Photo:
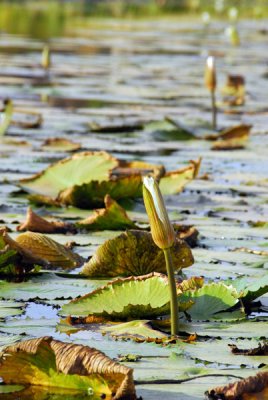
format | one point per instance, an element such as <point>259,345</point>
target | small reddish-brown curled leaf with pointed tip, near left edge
<point>34,223</point>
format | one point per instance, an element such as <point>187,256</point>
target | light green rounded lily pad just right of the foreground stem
<point>210,299</point>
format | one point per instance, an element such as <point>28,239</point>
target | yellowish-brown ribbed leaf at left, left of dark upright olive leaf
<point>47,249</point>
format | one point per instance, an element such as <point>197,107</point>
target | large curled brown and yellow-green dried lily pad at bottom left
<point>55,364</point>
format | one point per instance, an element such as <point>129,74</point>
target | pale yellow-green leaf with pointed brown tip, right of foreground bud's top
<point>174,181</point>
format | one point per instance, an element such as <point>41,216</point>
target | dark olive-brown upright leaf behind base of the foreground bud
<point>134,253</point>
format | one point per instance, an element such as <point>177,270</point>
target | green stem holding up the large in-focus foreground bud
<point>173,293</point>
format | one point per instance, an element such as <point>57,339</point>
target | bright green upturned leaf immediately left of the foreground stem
<point>134,297</point>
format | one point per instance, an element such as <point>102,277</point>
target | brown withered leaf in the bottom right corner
<point>236,390</point>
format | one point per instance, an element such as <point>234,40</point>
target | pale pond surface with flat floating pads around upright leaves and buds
<point>128,76</point>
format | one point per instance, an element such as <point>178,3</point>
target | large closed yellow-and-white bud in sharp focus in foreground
<point>162,231</point>
